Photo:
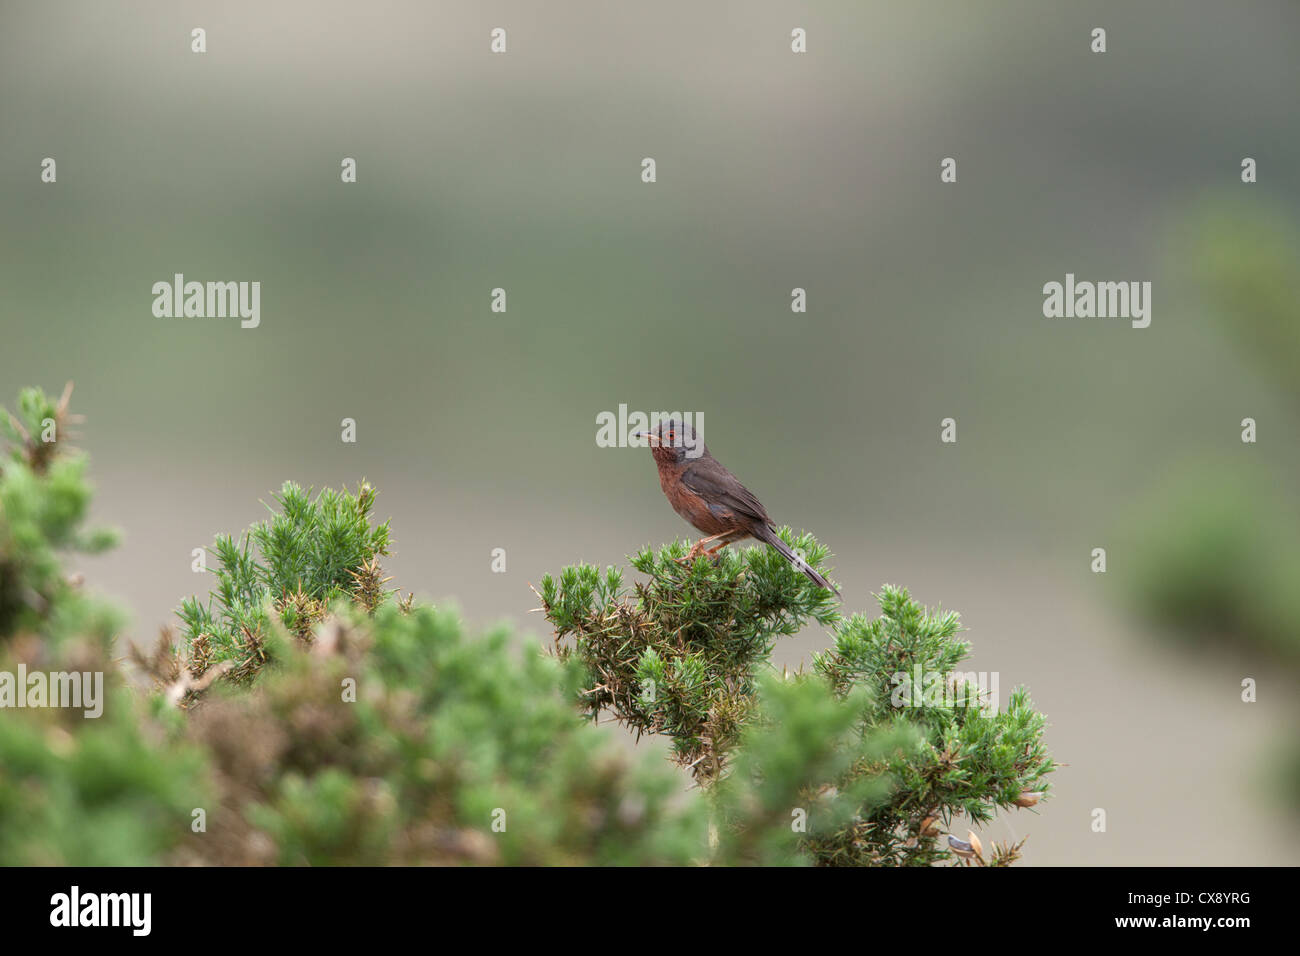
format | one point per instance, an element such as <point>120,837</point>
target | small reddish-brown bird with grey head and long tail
<point>712,499</point>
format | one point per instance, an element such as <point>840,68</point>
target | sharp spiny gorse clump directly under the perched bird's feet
<point>682,659</point>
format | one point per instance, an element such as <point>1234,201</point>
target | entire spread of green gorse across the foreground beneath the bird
<point>305,716</point>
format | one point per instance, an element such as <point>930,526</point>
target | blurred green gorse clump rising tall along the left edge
<point>115,790</point>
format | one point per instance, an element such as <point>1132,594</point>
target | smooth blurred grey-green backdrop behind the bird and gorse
<point>774,171</point>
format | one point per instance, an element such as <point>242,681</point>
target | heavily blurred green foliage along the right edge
<point>1216,552</point>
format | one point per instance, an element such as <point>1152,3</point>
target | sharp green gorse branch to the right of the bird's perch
<point>960,754</point>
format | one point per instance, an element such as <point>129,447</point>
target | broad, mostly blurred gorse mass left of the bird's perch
<point>375,733</point>
